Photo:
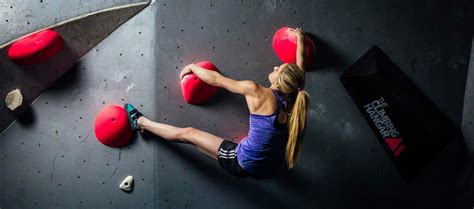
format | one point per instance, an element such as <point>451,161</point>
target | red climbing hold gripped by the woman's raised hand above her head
<point>284,44</point>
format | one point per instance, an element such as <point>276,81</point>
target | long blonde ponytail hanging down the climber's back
<point>296,125</point>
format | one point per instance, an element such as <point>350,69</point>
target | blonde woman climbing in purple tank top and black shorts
<point>277,120</point>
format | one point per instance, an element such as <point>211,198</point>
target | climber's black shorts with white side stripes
<point>227,158</point>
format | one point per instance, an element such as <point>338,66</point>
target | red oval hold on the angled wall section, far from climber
<point>36,47</point>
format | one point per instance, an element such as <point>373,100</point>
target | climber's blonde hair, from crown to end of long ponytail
<point>291,81</point>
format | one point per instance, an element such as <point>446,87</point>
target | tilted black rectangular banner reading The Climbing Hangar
<point>408,124</point>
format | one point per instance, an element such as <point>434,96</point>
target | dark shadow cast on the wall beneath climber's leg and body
<point>254,191</point>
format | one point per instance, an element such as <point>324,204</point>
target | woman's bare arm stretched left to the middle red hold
<point>245,87</point>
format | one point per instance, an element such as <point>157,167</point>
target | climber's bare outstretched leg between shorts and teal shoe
<point>205,142</point>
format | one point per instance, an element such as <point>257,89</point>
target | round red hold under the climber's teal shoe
<point>112,127</point>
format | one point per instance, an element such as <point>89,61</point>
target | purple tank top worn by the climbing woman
<point>262,152</point>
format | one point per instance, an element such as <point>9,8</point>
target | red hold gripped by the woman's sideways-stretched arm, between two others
<point>195,90</point>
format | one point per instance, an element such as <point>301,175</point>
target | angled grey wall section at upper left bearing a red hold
<point>79,34</point>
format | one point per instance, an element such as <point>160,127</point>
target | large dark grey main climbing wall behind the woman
<point>55,161</point>
